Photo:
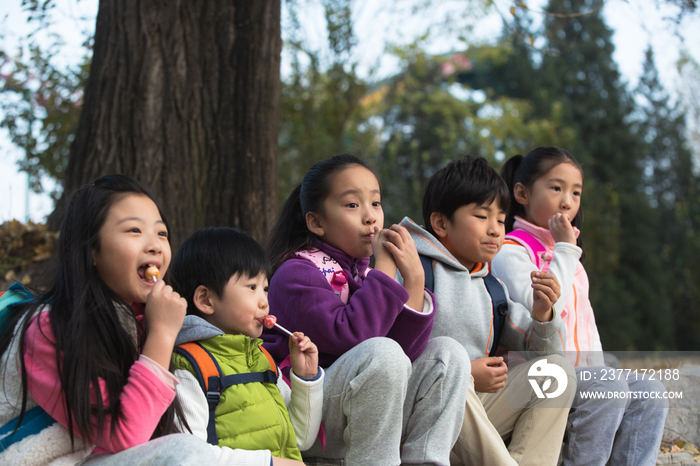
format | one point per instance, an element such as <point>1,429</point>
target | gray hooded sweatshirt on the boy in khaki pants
<point>464,309</point>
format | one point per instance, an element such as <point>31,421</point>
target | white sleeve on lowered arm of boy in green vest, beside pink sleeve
<point>196,411</point>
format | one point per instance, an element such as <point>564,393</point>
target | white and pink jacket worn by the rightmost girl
<point>522,254</point>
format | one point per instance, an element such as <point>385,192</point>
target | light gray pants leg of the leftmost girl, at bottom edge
<point>180,449</point>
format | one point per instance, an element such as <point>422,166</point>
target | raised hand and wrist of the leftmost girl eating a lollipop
<point>164,314</point>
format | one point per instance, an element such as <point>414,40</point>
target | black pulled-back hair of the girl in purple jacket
<point>290,233</point>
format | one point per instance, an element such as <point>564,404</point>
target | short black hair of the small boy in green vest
<point>211,257</point>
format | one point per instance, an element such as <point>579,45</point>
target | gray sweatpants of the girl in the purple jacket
<point>381,409</point>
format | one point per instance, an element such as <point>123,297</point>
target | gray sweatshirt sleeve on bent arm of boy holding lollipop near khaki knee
<point>523,333</point>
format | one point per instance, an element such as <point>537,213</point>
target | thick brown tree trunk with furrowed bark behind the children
<point>184,96</point>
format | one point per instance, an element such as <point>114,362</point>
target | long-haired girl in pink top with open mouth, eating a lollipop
<point>93,351</point>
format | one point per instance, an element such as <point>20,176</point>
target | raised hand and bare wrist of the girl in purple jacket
<point>403,249</point>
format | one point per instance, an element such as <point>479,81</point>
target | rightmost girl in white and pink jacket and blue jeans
<point>545,214</point>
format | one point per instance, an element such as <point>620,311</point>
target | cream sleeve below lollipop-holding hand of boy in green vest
<point>304,402</point>
